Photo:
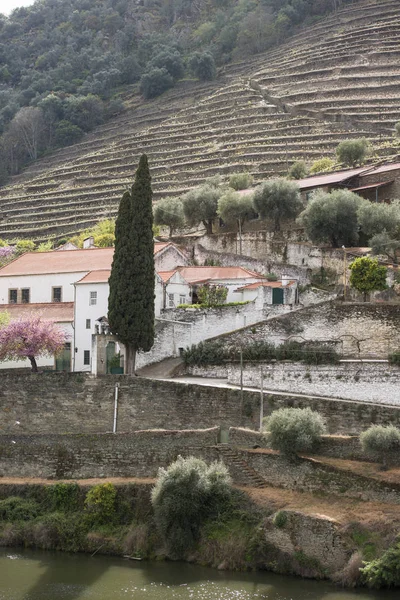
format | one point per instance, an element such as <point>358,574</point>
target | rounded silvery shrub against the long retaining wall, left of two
<point>294,430</point>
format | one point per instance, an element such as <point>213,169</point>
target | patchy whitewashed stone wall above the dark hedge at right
<point>363,329</point>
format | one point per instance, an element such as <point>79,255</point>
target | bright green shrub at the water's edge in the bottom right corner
<point>385,571</point>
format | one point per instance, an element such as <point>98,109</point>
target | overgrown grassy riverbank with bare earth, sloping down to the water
<point>270,529</point>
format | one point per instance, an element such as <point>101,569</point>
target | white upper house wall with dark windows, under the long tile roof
<point>40,286</point>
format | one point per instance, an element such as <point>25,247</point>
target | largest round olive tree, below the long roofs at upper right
<point>332,218</point>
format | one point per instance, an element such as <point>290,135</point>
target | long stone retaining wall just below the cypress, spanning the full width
<point>55,403</point>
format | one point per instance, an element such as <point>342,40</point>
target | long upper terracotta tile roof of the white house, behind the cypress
<point>67,261</point>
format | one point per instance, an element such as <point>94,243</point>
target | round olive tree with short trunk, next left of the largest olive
<point>278,199</point>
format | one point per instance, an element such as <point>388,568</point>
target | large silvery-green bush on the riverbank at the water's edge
<point>185,495</point>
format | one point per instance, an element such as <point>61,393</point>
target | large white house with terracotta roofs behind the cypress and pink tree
<point>75,280</point>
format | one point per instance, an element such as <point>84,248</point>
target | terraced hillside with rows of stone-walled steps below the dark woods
<point>337,79</point>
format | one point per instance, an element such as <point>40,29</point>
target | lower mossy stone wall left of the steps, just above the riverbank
<point>140,454</point>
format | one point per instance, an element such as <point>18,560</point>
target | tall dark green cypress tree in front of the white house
<point>131,299</point>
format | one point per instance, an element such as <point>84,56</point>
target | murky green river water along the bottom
<point>36,575</point>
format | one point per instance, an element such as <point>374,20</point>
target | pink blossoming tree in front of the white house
<point>30,337</point>
